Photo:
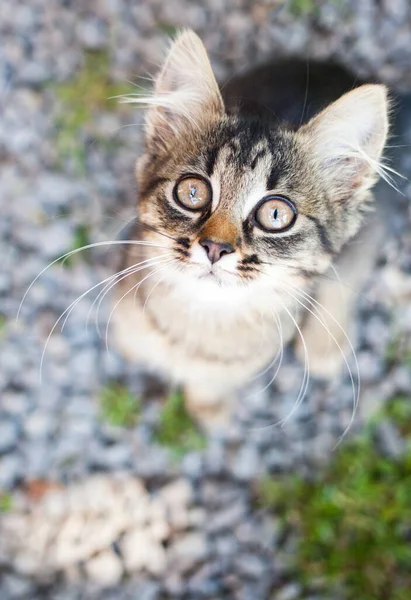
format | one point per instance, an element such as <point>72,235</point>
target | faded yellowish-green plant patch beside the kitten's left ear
<point>90,91</point>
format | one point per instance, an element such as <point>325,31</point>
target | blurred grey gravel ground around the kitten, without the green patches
<point>122,519</point>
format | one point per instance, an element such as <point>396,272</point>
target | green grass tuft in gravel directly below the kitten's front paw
<point>176,429</point>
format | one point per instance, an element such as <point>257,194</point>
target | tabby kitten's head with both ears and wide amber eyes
<point>239,201</point>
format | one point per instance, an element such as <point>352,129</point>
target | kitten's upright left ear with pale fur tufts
<point>186,93</point>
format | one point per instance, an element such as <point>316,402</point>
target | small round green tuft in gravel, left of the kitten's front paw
<point>118,406</point>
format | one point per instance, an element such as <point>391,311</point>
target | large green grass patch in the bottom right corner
<point>354,523</point>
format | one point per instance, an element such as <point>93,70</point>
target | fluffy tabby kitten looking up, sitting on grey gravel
<point>239,218</point>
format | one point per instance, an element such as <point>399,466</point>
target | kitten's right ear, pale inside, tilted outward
<point>347,139</point>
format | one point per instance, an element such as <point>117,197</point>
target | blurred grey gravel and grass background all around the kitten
<point>107,491</point>
